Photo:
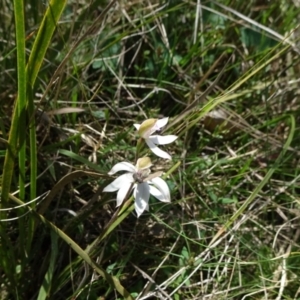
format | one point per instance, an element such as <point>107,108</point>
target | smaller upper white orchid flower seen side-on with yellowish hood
<point>147,128</point>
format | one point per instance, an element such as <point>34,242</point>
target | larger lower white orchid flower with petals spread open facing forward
<point>141,181</point>
